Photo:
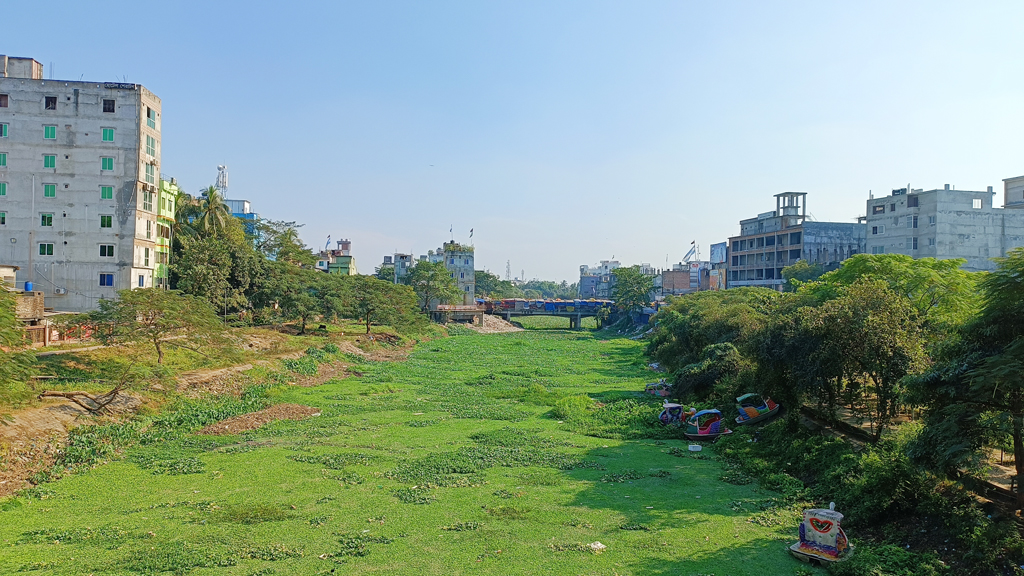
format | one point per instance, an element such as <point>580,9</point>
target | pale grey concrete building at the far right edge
<point>946,224</point>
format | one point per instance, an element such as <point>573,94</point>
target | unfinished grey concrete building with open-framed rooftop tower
<point>775,240</point>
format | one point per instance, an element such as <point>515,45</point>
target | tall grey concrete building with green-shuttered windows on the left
<point>79,164</point>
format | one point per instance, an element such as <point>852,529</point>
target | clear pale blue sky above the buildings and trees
<point>561,133</point>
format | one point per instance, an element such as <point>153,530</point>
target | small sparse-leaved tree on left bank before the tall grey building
<point>159,318</point>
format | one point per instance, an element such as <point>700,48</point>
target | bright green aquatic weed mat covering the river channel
<point>450,463</point>
